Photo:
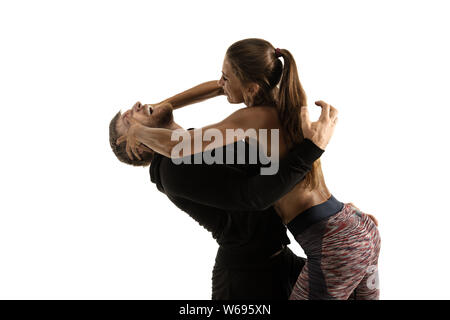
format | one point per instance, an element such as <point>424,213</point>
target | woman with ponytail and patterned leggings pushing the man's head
<point>341,243</point>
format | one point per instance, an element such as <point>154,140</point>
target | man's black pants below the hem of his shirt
<point>272,280</point>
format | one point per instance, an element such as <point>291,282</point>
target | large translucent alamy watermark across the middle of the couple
<point>181,152</point>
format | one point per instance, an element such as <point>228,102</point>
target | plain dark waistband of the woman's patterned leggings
<point>314,214</point>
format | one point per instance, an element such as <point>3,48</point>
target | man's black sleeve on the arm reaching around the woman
<point>223,187</point>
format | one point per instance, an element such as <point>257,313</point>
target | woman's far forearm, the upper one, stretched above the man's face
<point>196,94</point>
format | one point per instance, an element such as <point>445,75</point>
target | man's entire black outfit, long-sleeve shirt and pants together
<point>233,202</point>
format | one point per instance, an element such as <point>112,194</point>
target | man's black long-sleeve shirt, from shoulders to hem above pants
<point>233,201</point>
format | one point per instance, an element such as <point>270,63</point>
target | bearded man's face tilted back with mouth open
<point>147,115</point>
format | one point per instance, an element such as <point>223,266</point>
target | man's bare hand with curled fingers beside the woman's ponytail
<point>321,131</point>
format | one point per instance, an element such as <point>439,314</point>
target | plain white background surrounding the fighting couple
<point>77,224</point>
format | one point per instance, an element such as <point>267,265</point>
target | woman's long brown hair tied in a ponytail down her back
<point>256,61</point>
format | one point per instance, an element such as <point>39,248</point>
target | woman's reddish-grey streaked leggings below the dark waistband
<point>342,258</point>
